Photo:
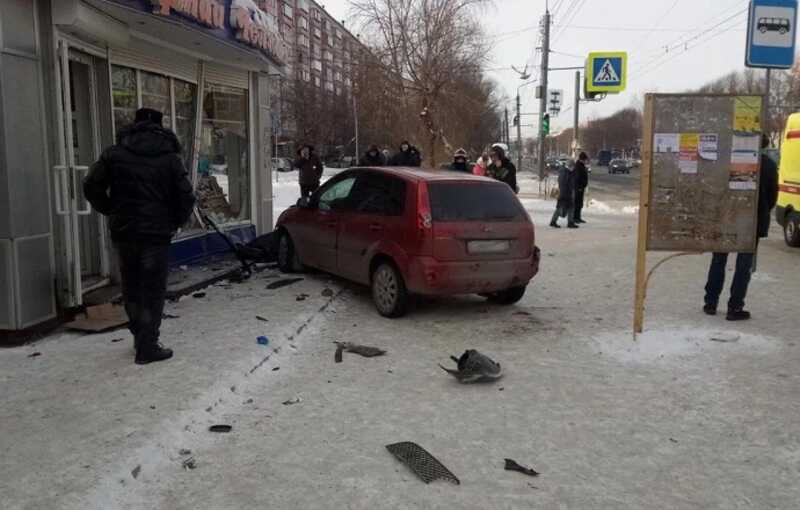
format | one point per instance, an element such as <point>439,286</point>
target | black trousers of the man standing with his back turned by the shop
<point>144,268</point>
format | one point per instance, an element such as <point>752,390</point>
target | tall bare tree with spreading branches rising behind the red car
<point>427,47</point>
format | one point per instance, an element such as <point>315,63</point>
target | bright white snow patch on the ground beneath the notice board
<point>679,344</point>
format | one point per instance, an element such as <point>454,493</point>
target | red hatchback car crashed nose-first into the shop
<point>409,231</point>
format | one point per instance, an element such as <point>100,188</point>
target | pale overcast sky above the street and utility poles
<point>706,39</point>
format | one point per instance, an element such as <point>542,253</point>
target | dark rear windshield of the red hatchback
<point>473,201</point>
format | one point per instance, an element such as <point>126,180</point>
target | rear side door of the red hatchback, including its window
<point>378,202</point>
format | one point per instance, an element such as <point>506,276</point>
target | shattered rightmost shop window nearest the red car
<point>223,187</point>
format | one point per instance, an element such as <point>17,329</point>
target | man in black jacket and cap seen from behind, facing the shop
<point>142,185</point>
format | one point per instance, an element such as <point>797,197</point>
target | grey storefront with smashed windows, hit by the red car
<point>73,72</point>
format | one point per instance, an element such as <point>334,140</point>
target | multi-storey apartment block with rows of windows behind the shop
<point>320,57</point>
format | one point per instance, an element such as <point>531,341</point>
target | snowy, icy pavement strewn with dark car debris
<point>698,413</point>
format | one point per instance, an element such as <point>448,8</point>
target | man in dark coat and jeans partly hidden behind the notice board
<point>767,197</point>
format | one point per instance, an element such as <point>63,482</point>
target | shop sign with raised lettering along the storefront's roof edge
<point>240,20</point>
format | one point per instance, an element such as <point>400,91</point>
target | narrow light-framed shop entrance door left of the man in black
<point>85,248</point>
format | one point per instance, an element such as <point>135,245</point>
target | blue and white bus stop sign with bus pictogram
<point>771,33</point>
